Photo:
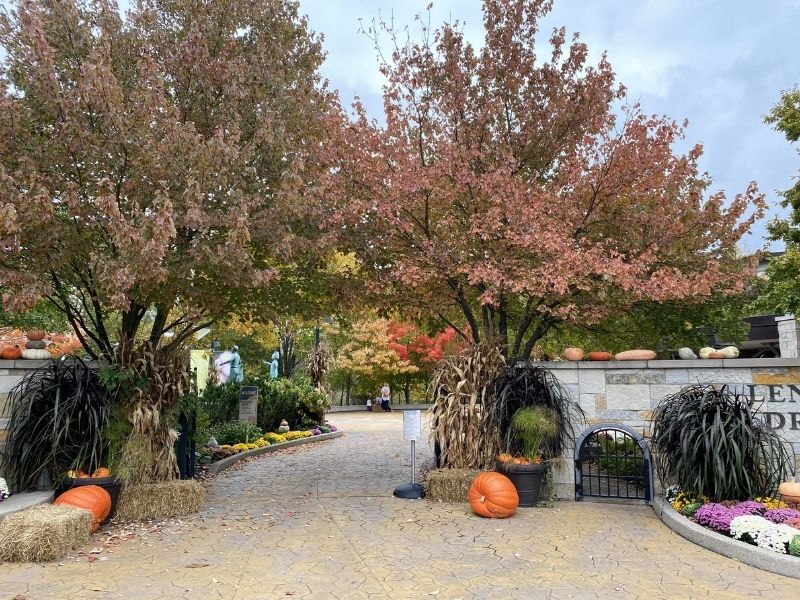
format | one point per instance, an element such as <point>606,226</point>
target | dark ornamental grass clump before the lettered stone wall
<point>711,441</point>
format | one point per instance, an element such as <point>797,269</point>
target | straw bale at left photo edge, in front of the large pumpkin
<point>42,533</point>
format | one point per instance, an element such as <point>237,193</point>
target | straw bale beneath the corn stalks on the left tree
<point>159,500</point>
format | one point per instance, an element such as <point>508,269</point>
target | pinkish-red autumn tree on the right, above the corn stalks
<point>516,187</point>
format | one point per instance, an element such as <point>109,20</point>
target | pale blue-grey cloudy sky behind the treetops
<point>719,63</point>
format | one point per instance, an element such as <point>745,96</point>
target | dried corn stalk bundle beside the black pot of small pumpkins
<point>461,391</point>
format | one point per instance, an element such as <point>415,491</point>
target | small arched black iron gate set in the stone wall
<point>613,461</point>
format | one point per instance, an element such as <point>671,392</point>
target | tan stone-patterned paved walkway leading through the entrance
<point>320,521</point>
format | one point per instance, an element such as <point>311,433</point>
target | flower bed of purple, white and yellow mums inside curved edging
<point>767,523</point>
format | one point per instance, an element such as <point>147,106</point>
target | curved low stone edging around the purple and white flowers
<point>767,560</point>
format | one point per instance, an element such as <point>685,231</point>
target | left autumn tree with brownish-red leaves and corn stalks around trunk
<point>152,170</point>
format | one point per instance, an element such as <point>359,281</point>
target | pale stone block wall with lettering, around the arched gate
<point>626,392</point>
